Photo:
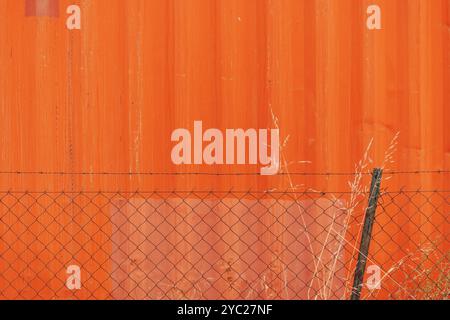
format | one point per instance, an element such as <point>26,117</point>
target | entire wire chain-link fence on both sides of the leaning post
<point>221,245</point>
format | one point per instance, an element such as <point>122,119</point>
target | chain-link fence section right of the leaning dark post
<point>411,244</point>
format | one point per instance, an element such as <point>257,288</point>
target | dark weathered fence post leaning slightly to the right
<point>367,233</point>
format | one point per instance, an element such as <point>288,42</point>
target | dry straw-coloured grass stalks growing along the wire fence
<point>423,283</point>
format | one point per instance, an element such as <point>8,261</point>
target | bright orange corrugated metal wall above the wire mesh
<point>106,98</point>
